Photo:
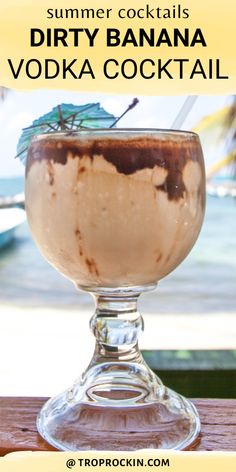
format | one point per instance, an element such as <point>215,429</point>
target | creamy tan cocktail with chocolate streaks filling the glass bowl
<point>115,211</point>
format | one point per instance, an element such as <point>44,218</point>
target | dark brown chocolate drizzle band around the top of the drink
<point>127,155</point>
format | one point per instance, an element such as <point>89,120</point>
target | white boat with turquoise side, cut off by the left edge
<point>10,220</point>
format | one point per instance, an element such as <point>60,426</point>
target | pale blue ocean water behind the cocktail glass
<point>204,283</point>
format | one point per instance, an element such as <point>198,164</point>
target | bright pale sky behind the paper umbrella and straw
<point>21,108</point>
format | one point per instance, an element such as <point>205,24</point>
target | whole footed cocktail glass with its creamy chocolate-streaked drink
<point>115,211</point>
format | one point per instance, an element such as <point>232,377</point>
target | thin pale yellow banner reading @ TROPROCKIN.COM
<point>120,461</point>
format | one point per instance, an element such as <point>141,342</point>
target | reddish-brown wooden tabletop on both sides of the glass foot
<point>18,430</point>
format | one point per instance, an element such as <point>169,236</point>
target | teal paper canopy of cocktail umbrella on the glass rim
<point>65,117</point>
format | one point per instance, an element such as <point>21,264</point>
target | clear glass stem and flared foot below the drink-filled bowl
<point>118,403</point>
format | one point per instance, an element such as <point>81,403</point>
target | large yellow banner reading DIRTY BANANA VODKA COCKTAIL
<point>134,46</point>
